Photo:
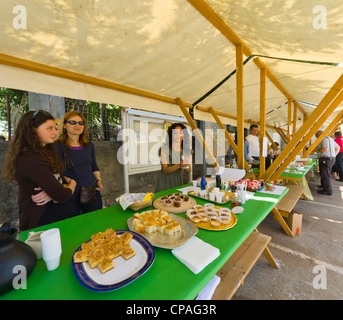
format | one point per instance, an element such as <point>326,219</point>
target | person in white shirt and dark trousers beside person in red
<point>327,150</point>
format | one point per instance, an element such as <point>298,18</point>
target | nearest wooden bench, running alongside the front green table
<point>235,270</point>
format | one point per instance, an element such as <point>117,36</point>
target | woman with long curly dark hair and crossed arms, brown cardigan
<point>32,161</point>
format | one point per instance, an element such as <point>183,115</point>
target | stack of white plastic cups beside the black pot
<point>51,248</point>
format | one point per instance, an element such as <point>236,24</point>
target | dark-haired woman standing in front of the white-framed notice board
<point>175,156</point>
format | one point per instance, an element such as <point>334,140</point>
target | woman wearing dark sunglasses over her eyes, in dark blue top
<point>78,153</point>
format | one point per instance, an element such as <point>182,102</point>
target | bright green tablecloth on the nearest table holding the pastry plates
<point>167,278</point>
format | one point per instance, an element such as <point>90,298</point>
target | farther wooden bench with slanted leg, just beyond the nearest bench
<point>286,205</point>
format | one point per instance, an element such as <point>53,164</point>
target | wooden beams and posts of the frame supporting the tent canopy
<point>300,137</point>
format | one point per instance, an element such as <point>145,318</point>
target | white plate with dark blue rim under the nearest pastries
<point>145,255</point>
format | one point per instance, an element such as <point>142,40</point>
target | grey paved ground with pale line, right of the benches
<point>312,259</point>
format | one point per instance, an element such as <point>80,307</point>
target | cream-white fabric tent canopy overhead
<point>100,50</point>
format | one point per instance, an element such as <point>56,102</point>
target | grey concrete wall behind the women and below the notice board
<point>111,173</point>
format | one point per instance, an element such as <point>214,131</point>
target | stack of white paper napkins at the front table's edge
<point>196,254</point>
